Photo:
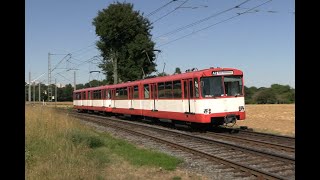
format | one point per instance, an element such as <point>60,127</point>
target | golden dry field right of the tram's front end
<point>271,118</point>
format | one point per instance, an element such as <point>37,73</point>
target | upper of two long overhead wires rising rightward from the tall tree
<point>201,20</point>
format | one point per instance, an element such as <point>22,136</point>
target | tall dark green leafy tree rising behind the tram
<point>125,43</point>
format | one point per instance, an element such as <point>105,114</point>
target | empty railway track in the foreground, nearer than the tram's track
<point>242,161</point>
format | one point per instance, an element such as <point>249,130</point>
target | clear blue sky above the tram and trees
<point>255,36</point>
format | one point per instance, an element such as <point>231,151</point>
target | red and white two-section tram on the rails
<point>210,96</point>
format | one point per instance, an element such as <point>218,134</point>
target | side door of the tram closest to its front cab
<point>188,101</point>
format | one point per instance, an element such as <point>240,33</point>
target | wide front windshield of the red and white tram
<point>221,86</point>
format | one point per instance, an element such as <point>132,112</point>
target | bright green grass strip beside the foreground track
<point>138,157</point>
